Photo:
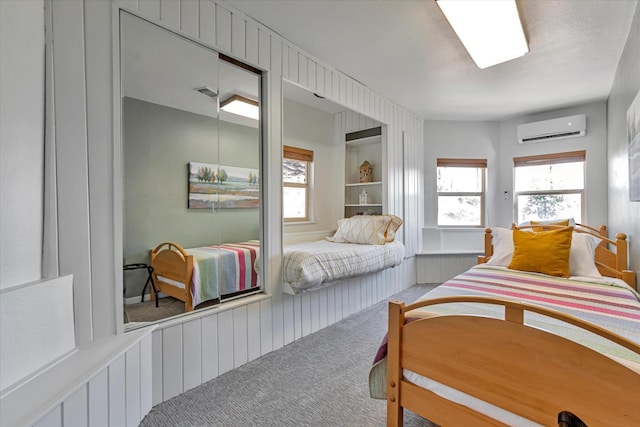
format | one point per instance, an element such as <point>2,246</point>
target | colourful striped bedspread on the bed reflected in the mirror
<point>224,269</point>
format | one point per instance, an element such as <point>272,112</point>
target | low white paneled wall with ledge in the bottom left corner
<point>106,383</point>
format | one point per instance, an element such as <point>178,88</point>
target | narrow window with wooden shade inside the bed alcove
<point>296,173</point>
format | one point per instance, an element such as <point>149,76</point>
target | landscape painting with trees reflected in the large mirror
<point>213,186</point>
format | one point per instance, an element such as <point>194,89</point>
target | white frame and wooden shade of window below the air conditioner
<point>549,159</point>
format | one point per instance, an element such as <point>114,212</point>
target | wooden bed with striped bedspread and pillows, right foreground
<point>500,346</point>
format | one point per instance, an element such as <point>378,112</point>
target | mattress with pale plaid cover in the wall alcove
<point>309,265</point>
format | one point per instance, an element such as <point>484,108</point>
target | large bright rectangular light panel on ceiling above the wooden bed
<point>490,30</point>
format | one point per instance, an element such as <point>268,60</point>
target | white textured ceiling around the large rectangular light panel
<point>406,51</point>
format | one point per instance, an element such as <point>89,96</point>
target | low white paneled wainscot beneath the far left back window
<point>437,268</point>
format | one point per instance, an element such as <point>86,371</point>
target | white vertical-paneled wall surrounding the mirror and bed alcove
<point>193,350</point>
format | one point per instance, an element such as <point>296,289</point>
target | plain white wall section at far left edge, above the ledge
<point>21,141</point>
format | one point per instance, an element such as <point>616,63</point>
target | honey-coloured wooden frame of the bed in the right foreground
<point>524,370</point>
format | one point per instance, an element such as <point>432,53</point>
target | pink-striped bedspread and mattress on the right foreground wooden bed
<point>605,301</point>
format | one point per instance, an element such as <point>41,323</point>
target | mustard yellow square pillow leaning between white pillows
<point>544,252</point>
